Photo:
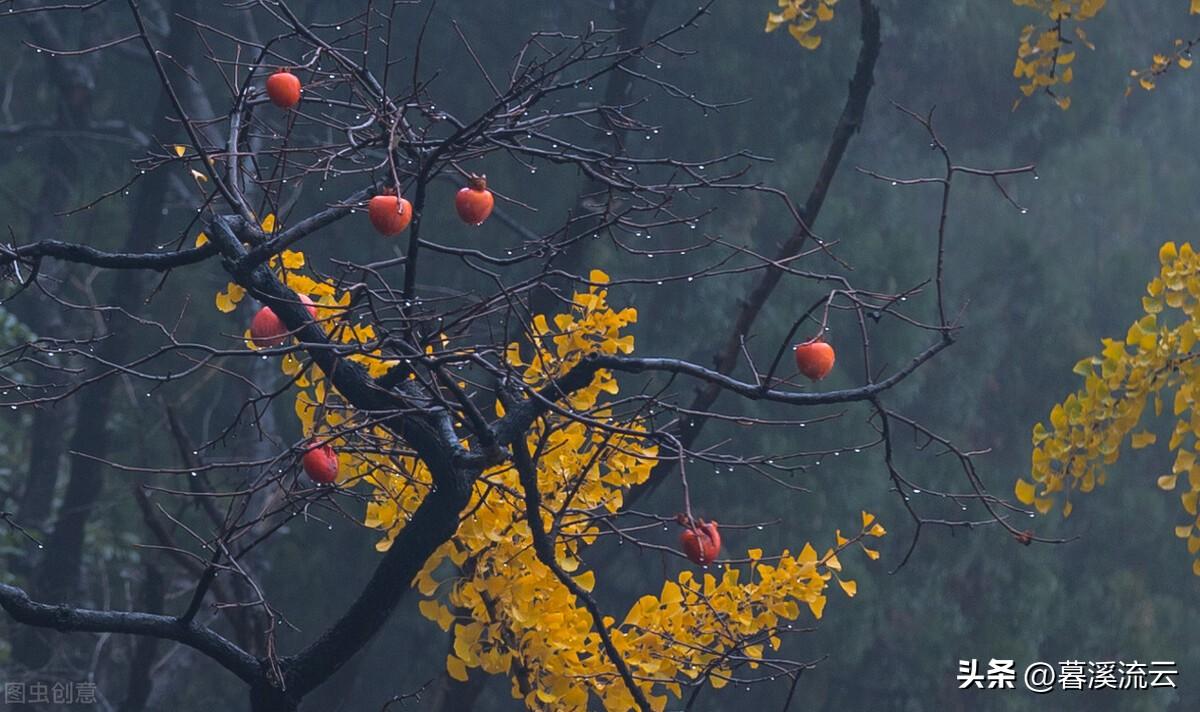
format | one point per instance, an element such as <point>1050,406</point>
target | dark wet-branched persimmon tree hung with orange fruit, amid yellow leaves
<point>489,441</point>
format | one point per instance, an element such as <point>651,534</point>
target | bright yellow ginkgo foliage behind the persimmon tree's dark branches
<point>508,613</point>
